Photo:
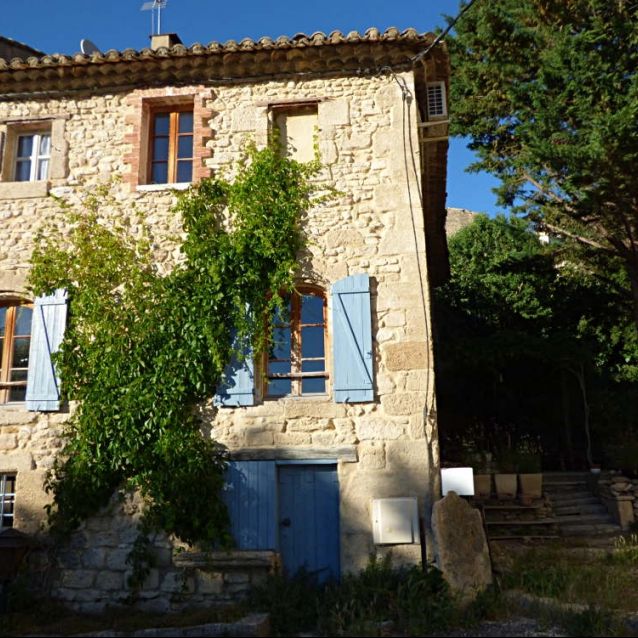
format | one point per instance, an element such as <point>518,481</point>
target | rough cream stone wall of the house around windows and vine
<point>384,448</point>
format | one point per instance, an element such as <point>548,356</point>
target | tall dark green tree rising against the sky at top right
<point>547,91</point>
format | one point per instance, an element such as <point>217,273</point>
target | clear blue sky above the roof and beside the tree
<point>58,27</point>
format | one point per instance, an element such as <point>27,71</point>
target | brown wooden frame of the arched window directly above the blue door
<point>296,375</point>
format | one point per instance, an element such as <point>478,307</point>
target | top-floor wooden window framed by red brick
<point>171,145</point>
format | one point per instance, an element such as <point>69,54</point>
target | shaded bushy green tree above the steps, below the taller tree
<point>530,349</point>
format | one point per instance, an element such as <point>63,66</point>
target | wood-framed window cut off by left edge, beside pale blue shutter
<point>15,340</point>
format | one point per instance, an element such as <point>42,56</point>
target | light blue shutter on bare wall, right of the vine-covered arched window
<point>352,340</point>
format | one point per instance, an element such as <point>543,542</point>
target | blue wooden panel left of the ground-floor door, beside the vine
<point>251,497</point>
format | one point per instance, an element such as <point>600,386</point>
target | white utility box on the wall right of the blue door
<point>395,521</point>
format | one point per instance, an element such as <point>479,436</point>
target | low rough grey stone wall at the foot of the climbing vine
<point>90,572</point>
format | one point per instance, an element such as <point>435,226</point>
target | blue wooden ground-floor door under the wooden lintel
<point>309,519</point>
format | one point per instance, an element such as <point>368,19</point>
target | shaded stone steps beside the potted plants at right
<point>578,513</point>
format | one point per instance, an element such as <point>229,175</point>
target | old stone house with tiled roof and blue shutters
<point>335,453</point>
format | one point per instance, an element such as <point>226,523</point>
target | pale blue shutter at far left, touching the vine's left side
<point>47,331</point>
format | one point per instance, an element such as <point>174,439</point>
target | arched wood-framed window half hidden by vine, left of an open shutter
<point>297,356</point>
